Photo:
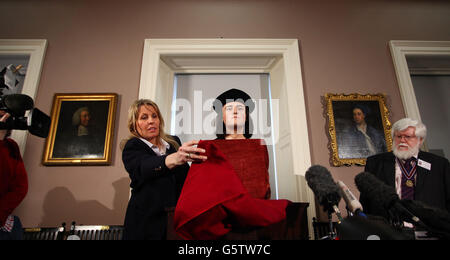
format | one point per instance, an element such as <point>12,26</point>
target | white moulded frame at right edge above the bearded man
<point>399,51</point>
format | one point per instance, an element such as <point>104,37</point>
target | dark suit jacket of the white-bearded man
<point>432,186</point>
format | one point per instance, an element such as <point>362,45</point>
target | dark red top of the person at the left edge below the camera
<point>13,178</point>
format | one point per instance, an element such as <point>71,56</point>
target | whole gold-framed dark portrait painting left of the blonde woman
<point>82,129</point>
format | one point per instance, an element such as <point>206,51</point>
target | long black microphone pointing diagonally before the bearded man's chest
<point>385,196</point>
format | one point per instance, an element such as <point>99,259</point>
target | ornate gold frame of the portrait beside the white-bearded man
<point>333,145</point>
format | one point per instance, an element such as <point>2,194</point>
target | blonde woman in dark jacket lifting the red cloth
<point>157,165</point>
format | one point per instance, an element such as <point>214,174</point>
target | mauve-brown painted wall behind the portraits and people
<point>96,46</point>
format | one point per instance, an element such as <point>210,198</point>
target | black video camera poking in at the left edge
<point>37,122</point>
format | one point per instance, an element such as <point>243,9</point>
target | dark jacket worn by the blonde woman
<point>154,188</point>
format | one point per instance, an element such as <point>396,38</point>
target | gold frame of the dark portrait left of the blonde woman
<point>49,159</point>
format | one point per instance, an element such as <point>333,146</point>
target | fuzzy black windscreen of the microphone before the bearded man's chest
<point>376,190</point>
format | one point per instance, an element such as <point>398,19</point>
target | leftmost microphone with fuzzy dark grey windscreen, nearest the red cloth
<point>324,188</point>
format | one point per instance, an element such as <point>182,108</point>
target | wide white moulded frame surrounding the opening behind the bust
<point>157,79</point>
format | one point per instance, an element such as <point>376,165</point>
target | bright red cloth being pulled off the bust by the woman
<point>214,200</point>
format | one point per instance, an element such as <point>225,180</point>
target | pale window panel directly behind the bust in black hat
<point>196,120</point>
